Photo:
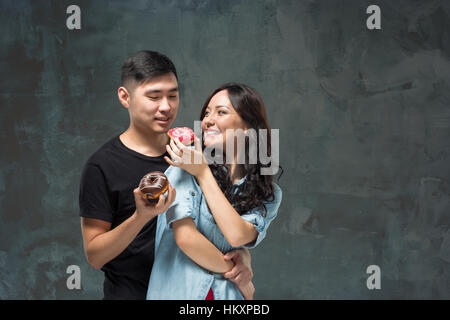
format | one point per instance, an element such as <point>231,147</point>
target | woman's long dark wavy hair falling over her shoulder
<point>256,188</point>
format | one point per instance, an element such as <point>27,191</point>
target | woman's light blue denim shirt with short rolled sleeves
<point>174,275</point>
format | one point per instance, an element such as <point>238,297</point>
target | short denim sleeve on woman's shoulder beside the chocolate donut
<point>187,196</point>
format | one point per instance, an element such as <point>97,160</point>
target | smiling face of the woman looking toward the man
<point>220,115</point>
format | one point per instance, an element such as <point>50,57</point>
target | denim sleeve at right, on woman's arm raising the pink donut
<point>260,222</point>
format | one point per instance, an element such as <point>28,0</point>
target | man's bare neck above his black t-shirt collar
<point>151,144</point>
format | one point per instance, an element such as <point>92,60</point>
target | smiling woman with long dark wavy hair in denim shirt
<point>218,207</point>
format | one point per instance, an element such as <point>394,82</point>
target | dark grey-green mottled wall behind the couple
<point>364,122</point>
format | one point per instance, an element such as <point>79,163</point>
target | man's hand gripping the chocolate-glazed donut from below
<point>146,211</point>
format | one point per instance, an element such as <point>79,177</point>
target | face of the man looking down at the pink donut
<point>153,105</point>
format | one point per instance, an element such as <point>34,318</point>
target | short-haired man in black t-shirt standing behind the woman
<point>118,226</point>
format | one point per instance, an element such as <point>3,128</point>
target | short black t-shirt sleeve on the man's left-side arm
<point>94,200</point>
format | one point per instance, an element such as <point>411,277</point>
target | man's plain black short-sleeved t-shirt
<point>106,193</point>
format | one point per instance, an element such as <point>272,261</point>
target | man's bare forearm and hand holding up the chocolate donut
<point>101,244</point>
